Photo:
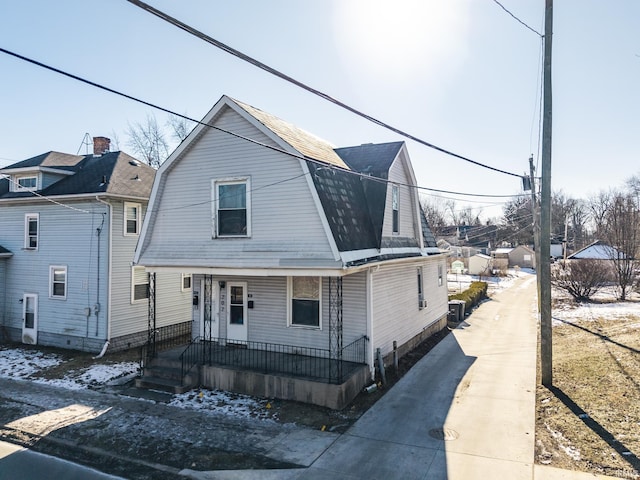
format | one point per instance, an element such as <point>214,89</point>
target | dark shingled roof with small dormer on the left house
<point>114,173</point>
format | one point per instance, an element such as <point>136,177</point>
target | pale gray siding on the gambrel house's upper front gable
<point>186,208</point>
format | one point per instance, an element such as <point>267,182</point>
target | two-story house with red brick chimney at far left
<point>69,225</point>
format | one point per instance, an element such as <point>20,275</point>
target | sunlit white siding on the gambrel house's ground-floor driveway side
<point>396,315</point>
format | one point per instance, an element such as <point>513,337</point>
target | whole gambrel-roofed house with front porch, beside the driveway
<point>299,251</point>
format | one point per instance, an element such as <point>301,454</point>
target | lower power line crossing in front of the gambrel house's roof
<point>166,110</point>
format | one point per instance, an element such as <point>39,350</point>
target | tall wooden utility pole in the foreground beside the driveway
<point>545,209</point>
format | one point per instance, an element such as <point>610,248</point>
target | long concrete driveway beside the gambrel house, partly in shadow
<point>466,411</point>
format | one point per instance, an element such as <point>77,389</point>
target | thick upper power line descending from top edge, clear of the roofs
<point>277,73</point>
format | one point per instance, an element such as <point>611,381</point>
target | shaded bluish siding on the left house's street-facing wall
<point>61,322</point>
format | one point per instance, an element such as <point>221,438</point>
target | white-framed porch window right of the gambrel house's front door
<point>305,298</point>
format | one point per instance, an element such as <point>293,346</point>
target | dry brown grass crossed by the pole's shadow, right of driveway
<point>590,419</point>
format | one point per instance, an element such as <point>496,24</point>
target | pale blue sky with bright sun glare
<point>460,74</point>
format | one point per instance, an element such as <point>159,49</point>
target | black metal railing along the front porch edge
<point>271,358</point>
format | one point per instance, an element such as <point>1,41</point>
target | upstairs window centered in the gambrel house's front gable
<point>232,208</point>
